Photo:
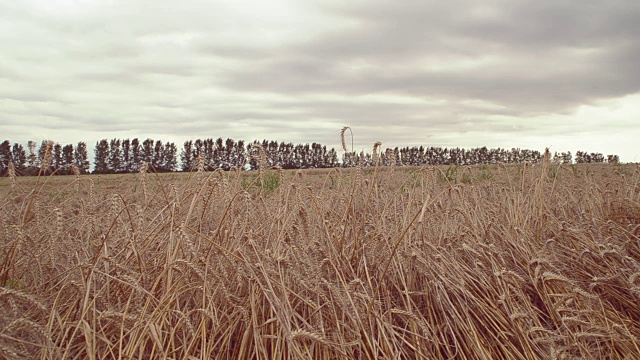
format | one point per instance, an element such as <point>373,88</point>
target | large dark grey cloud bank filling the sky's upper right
<point>541,67</point>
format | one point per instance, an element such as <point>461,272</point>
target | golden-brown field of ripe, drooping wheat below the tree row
<point>484,262</point>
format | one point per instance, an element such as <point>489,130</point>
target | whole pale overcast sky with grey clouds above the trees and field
<point>460,73</point>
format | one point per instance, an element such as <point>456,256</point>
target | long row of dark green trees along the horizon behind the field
<point>117,156</point>
